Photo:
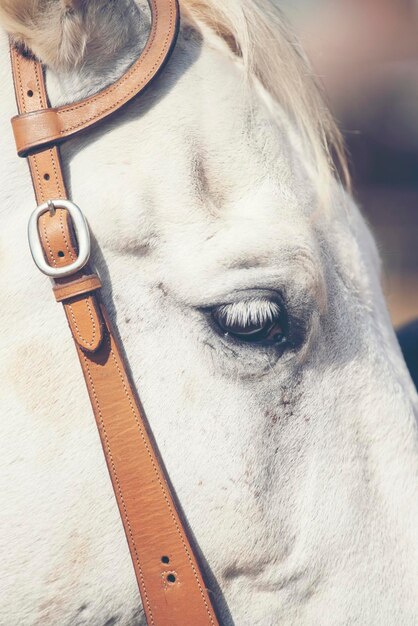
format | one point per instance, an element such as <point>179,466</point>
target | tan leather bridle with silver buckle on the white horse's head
<point>169,578</point>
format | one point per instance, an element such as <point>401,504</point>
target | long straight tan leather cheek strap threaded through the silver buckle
<point>170,581</point>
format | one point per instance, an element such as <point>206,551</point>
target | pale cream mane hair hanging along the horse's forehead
<point>257,31</point>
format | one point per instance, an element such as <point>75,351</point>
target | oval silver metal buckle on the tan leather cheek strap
<point>81,230</point>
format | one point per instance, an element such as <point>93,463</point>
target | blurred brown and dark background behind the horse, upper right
<point>365,52</point>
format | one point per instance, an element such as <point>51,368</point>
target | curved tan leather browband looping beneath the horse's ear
<point>38,129</point>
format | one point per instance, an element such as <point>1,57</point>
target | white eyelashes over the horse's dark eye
<point>249,312</point>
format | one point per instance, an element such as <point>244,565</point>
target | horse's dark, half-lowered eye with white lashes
<point>266,325</point>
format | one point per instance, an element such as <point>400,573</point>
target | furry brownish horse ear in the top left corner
<point>53,31</point>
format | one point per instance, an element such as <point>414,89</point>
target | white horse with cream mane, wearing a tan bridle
<point>245,285</point>
